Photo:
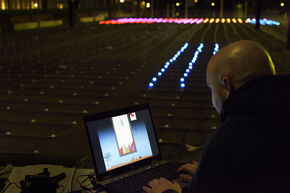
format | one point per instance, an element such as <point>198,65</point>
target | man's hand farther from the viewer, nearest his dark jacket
<point>189,170</point>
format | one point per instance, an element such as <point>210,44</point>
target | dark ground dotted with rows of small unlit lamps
<point>50,78</point>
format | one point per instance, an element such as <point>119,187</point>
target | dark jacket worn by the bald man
<point>250,151</point>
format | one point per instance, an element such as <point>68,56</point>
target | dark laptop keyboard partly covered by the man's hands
<point>134,184</point>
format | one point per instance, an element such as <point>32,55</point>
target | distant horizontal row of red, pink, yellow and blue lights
<point>187,21</point>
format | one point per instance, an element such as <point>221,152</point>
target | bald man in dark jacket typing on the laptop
<point>250,151</point>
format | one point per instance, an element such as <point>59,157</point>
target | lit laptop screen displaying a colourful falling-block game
<point>122,139</point>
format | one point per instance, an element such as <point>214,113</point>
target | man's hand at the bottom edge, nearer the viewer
<point>159,186</point>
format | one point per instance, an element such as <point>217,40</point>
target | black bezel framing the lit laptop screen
<point>109,114</point>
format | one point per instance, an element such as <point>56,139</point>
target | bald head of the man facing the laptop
<point>235,65</point>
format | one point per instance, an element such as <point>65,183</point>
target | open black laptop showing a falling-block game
<point>125,150</point>
